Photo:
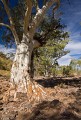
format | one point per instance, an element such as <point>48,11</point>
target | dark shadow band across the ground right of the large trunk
<point>51,82</point>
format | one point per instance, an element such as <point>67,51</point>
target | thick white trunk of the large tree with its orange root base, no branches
<point>21,77</point>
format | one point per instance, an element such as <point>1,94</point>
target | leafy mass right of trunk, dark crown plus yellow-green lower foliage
<point>47,55</point>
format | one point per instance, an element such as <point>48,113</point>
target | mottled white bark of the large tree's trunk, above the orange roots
<point>20,73</point>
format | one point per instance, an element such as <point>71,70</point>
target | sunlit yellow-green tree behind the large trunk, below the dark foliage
<point>46,57</point>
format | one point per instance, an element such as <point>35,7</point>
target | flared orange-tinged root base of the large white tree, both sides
<point>35,92</point>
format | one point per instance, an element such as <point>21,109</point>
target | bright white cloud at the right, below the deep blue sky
<point>75,53</point>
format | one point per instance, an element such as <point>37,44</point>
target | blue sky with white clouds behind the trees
<point>72,18</point>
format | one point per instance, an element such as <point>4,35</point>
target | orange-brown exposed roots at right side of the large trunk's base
<point>35,92</point>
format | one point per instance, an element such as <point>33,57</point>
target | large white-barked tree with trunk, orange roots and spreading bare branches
<point>25,43</point>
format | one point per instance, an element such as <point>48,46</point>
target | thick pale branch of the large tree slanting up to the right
<point>39,16</point>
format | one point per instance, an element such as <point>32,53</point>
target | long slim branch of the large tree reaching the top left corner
<point>11,22</point>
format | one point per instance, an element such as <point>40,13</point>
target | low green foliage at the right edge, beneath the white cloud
<point>73,69</point>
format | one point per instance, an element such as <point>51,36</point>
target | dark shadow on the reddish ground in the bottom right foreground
<point>53,110</point>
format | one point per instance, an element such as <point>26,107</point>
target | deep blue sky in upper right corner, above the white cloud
<point>71,17</point>
